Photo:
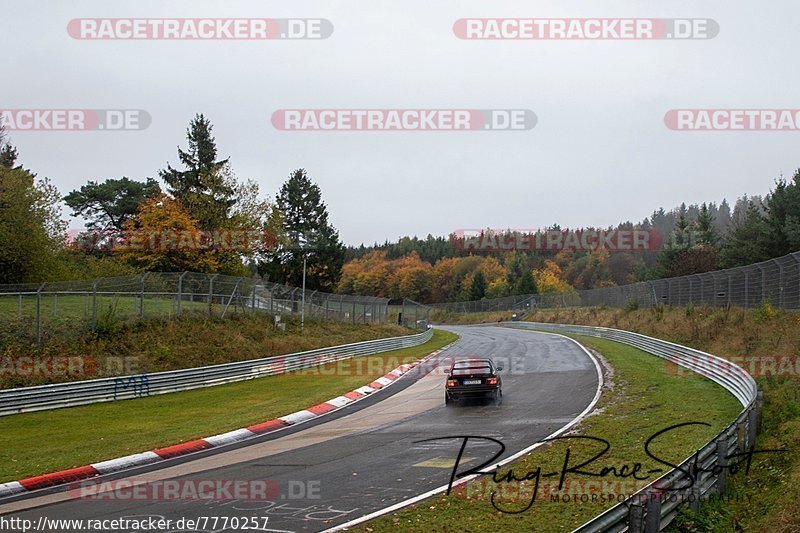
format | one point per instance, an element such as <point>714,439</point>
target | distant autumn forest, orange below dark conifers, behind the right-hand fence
<point>696,238</point>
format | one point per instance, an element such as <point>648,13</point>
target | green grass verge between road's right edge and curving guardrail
<point>644,400</point>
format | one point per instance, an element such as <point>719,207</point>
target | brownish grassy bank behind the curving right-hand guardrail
<point>767,343</point>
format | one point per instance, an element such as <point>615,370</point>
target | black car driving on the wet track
<point>473,378</point>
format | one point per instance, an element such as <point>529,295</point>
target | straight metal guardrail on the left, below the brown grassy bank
<point>38,398</point>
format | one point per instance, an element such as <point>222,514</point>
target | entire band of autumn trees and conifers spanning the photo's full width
<point>202,196</point>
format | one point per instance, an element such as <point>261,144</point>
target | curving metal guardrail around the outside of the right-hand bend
<point>649,510</point>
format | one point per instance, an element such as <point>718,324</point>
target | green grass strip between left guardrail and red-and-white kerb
<point>37,443</point>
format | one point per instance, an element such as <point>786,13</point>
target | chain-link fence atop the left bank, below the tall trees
<point>28,310</point>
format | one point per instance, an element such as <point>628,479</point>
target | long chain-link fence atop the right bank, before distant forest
<point>776,281</point>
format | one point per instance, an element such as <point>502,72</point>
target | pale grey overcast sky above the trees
<point>599,154</point>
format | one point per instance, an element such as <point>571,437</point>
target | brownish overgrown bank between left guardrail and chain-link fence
<point>187,341</point>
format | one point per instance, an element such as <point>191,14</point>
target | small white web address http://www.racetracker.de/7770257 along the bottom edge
<point>135,524</point>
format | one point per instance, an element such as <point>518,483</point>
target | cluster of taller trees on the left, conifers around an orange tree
<point>187,223</point>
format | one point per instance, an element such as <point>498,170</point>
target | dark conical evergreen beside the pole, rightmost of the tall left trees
<point>308,232</point>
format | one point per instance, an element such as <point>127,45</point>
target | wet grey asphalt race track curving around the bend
<point>366,457</point>
